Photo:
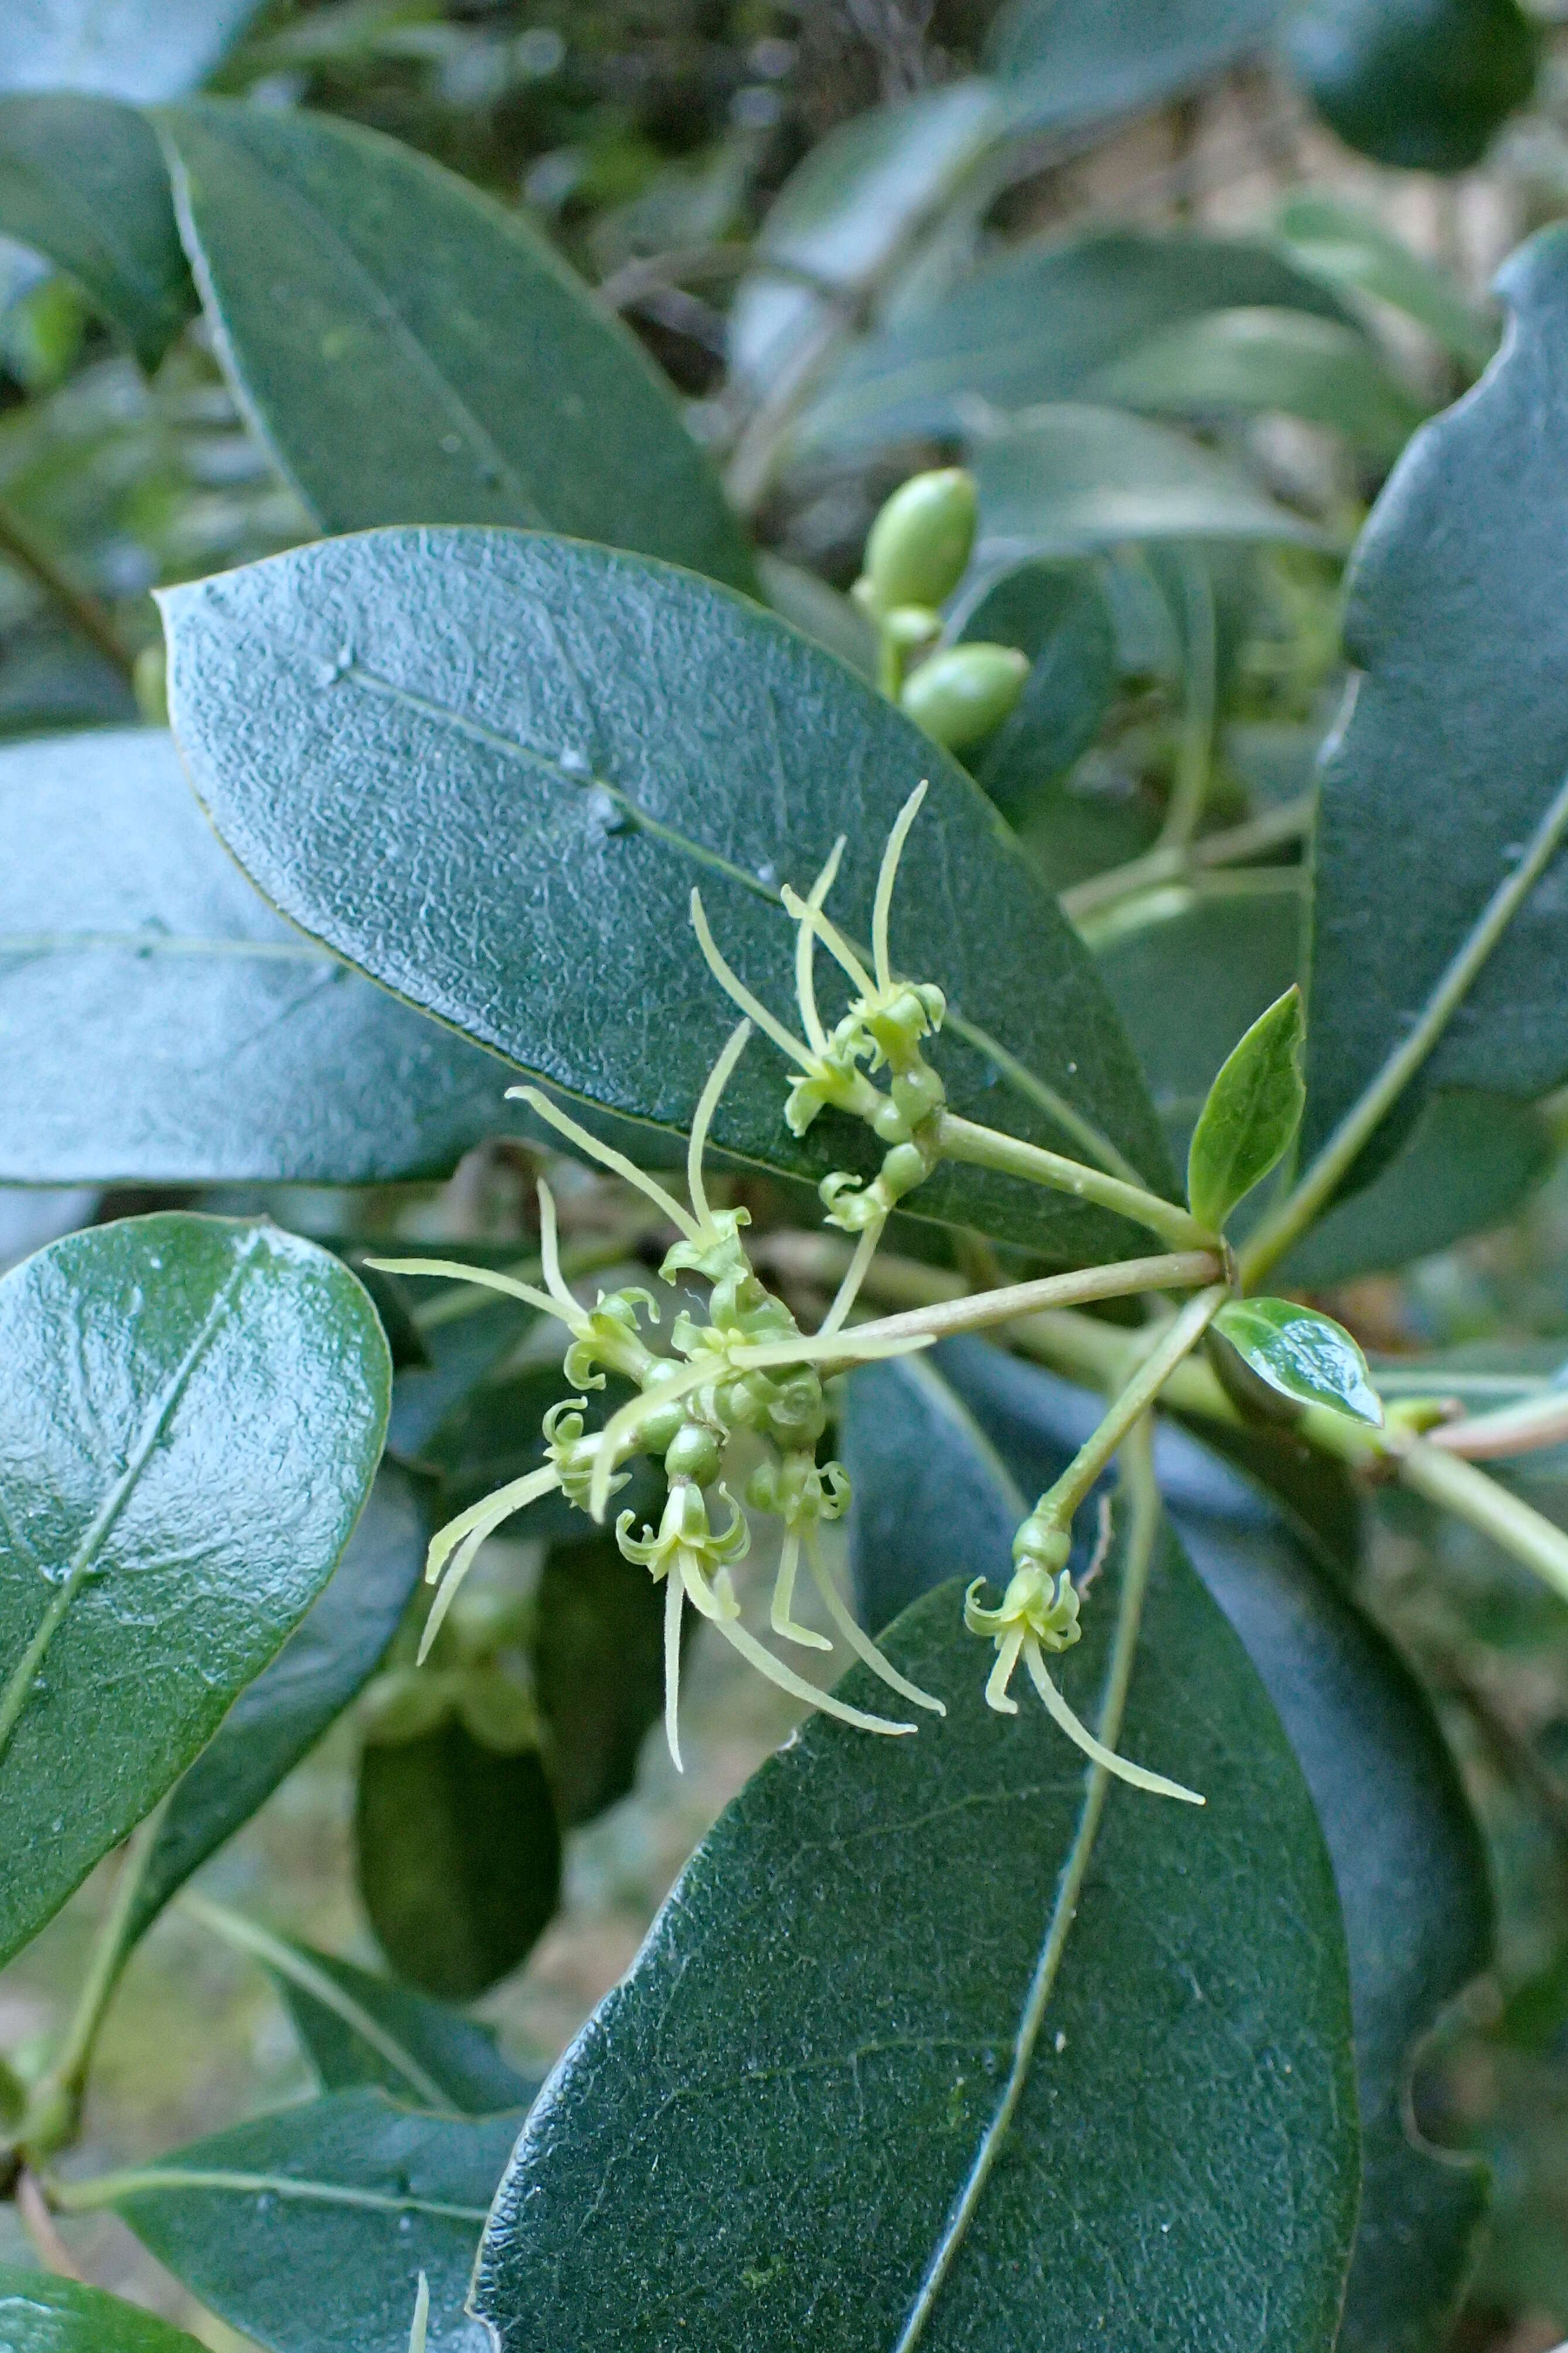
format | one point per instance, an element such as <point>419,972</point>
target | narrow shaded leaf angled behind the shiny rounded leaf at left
<point>300,1695</point>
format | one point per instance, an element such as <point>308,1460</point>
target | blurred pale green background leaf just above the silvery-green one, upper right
<point>1254,361</point>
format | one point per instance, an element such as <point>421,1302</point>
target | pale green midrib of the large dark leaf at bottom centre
<point>1144,1528</point>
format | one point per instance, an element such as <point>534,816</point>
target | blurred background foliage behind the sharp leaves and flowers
<point>866,236</point>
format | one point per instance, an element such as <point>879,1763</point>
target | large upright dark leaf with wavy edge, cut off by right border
<point>1456,745</point>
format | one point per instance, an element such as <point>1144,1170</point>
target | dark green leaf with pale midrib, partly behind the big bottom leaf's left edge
<point>311,2227</point>
